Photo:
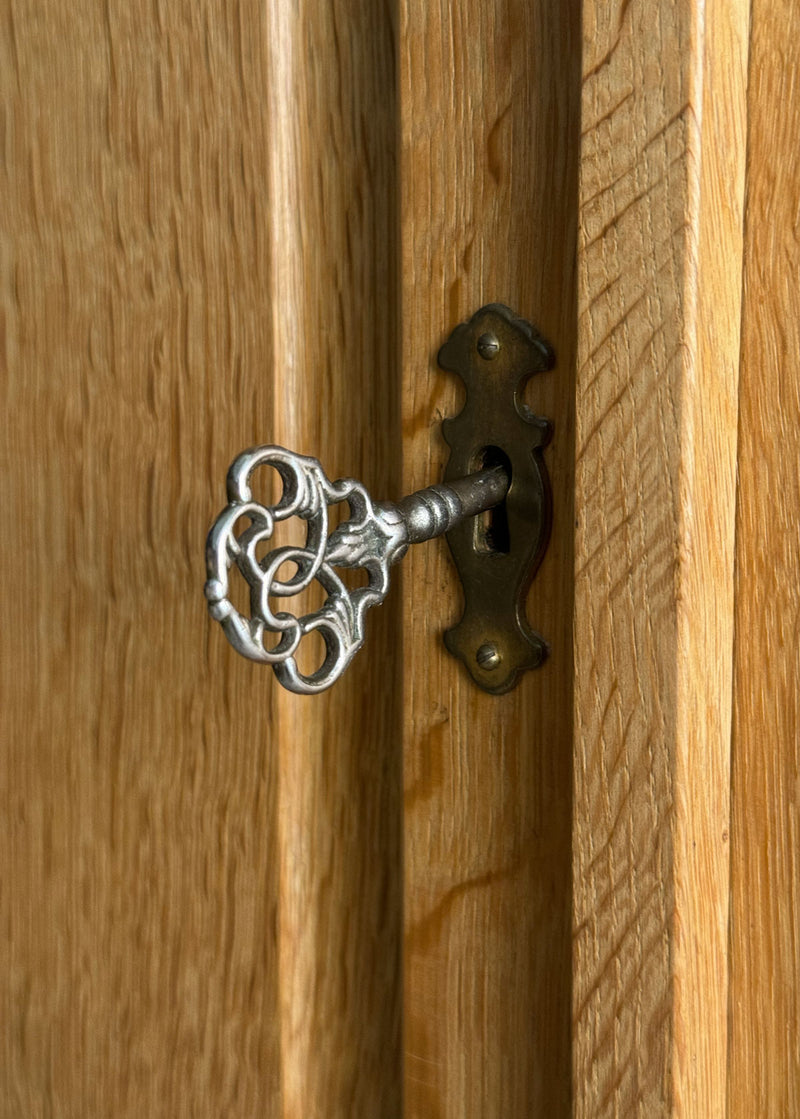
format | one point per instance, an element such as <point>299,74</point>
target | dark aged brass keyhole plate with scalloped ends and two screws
<point>497,554</point>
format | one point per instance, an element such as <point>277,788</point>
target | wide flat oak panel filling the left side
<point>139,973</point>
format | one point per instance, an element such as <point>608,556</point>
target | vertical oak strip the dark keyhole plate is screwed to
<point>488,212</point>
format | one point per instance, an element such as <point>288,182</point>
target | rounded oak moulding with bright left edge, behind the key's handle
<point>335,324</point>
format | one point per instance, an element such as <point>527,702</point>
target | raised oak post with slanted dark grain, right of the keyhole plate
<point>660,304</point>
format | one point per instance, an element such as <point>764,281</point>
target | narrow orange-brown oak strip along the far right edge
<point>765,1078</point>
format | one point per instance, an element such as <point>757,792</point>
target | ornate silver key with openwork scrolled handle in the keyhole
<point>374,537</point>
